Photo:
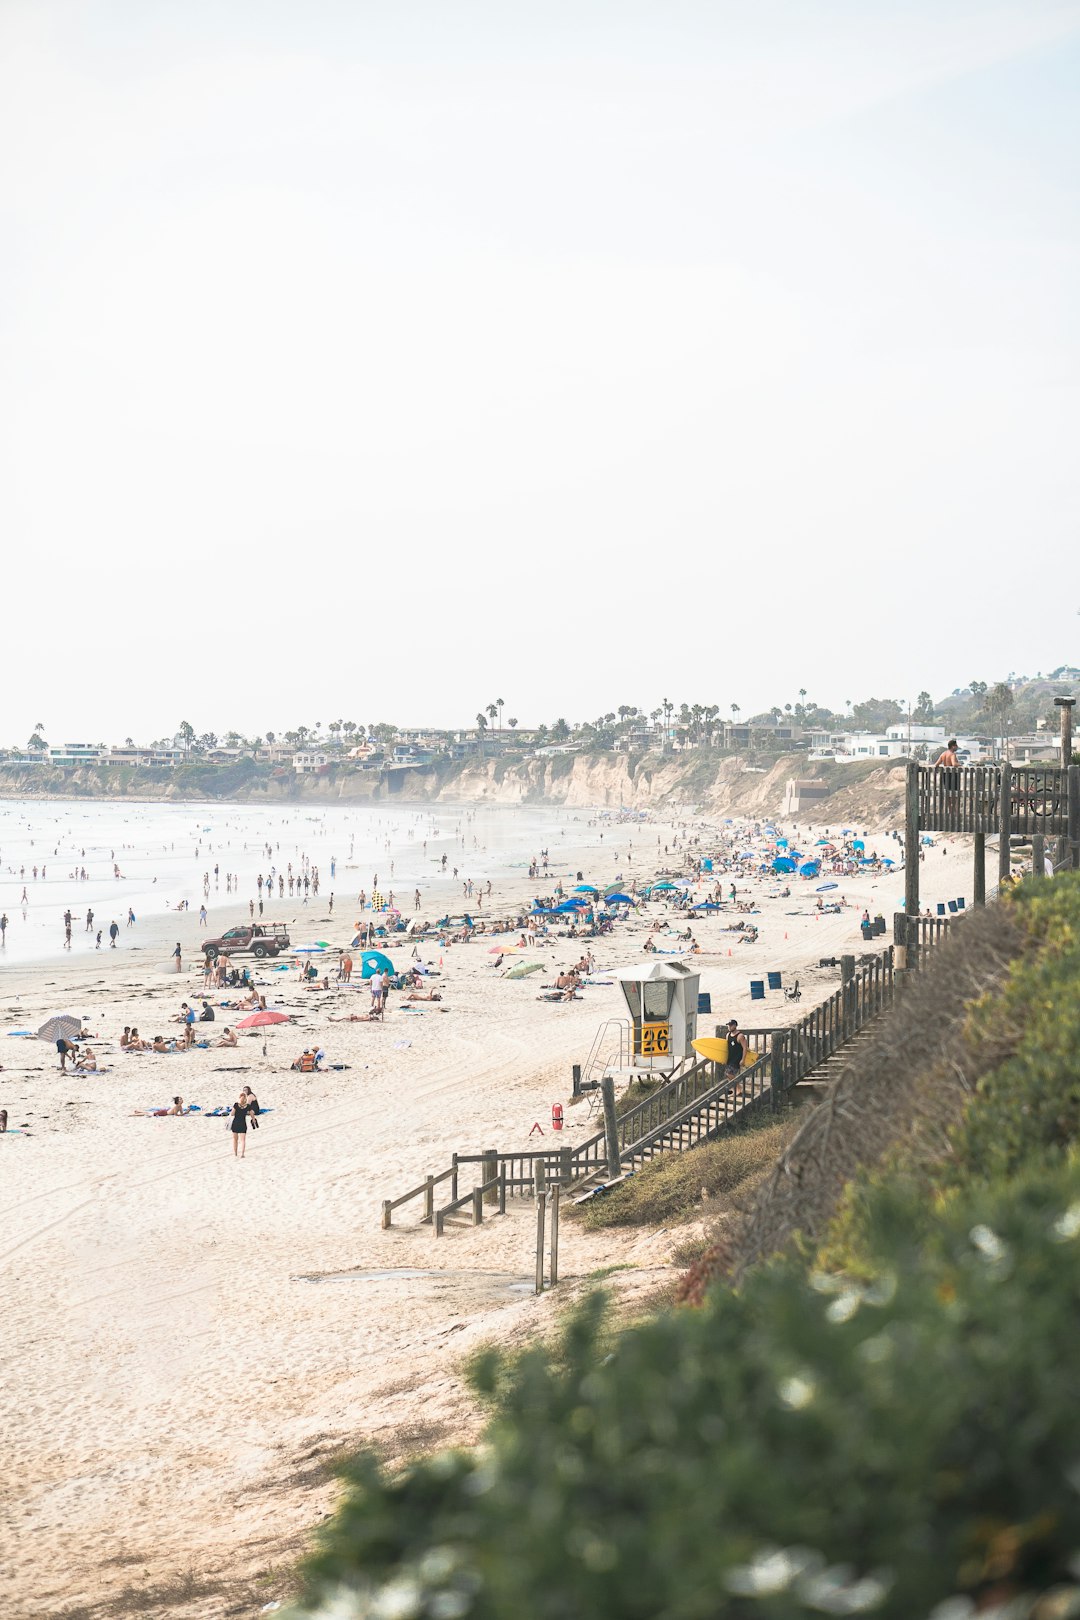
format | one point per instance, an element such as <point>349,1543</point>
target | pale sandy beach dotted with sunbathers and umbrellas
<point>184,1347</point>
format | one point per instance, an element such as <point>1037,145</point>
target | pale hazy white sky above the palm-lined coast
<point>376,360</point>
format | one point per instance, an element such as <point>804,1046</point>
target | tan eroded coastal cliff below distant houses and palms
<point>590,782</point>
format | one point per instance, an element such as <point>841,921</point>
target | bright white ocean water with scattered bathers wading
<point>166,851</point>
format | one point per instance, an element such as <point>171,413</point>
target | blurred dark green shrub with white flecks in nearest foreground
<point>796,1449</point>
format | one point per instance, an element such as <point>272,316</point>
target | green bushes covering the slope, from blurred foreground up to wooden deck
<point>888,1426</point>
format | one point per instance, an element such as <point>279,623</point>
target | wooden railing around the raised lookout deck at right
<point>969,799</point>
